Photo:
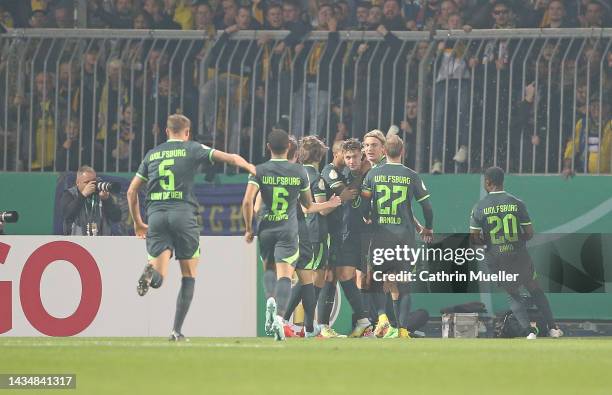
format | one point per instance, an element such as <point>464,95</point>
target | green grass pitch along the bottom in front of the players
<point>133,366</point>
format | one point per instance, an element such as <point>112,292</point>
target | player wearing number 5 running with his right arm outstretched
<point>168,172</point>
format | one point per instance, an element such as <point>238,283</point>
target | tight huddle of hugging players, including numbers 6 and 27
<point>362,200</point>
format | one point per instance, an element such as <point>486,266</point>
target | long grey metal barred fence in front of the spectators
<point>528,100</point>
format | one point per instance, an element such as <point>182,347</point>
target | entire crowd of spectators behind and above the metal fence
<point>110,108</point>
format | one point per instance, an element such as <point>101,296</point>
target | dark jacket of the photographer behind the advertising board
<point>78,211</point>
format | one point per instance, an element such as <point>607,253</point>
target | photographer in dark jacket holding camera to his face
<point>87,210</point>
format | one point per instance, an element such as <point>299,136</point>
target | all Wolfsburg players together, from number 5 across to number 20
<point>319,226</point>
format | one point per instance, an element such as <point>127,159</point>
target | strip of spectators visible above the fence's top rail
<point>351,14</point>
